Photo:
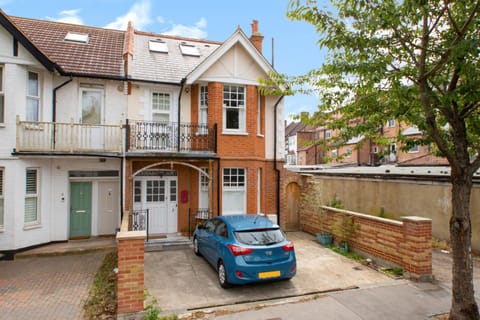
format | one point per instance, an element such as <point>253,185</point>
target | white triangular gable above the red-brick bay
<point>235,66</point>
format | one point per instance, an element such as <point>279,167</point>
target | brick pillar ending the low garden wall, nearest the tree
<point>417,260</point>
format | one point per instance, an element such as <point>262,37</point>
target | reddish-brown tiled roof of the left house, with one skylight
<point>101,56</point>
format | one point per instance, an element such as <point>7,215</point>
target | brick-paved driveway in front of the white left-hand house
<point>52,287</point>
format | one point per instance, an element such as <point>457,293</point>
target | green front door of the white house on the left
<point>80,209</point>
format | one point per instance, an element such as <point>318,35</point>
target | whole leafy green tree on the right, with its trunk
<point>416,61</point>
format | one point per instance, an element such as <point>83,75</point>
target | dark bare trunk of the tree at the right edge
<point>464,305</point>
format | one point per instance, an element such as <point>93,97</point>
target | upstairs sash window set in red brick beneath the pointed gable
<point>234,108</point>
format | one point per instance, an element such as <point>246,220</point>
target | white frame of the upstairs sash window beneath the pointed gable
<point>231,103</point>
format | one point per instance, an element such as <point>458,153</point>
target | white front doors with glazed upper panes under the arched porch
<point>158,194</point>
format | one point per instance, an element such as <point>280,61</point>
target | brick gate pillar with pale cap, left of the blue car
<point>130,284</point>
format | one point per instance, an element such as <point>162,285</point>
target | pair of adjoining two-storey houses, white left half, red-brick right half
<point>98,123</point>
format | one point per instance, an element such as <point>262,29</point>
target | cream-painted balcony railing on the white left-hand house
<point>57,137</point>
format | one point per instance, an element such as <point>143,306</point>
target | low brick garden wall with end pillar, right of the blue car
<point>405,243</point>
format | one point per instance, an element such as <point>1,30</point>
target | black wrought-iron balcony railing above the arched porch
<point>151,136</point>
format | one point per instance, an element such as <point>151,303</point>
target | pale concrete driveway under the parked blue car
<point>181,281</point>
